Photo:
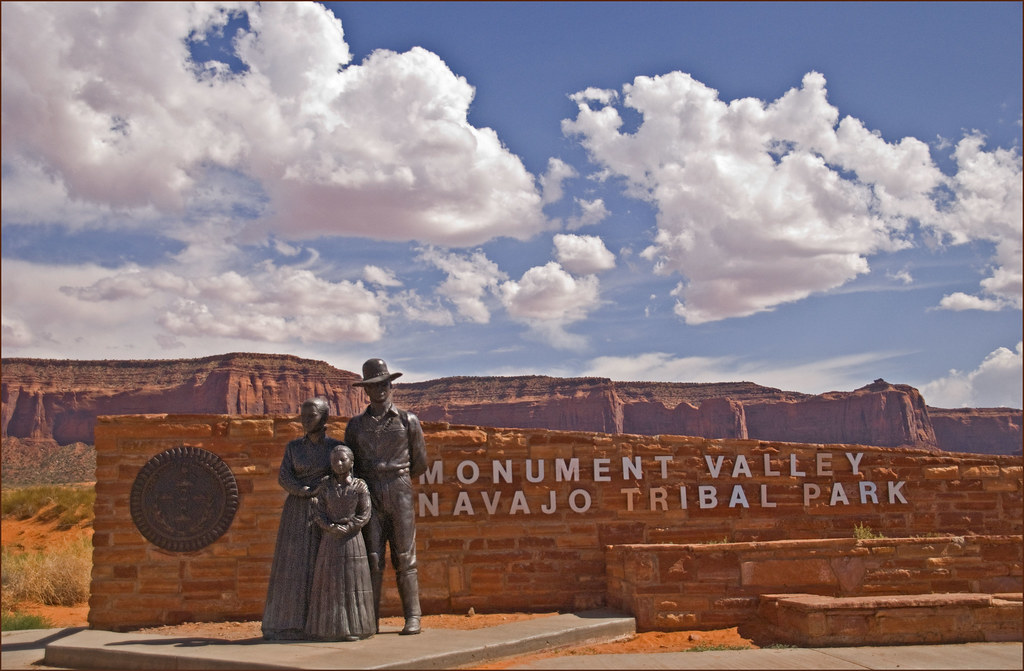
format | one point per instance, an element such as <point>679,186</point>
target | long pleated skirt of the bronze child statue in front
<point>342,606</point>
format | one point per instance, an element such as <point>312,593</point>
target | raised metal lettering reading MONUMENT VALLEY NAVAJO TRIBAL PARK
<point>632,471</point>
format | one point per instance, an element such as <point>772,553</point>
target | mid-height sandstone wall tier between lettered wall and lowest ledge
<point>678,588</point>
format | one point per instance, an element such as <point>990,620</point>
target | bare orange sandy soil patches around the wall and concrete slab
<point>33,535</point>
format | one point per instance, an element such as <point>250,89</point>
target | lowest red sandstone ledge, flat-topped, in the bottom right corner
<point>810,620</point>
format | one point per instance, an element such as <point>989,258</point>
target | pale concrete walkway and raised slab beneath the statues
<point>447,649</point>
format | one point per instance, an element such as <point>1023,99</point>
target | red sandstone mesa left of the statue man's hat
<point>61,400</point>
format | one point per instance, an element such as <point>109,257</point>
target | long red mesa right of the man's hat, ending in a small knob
<point>880,414</point>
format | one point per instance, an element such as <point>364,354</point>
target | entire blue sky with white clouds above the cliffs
<point>807,196</point>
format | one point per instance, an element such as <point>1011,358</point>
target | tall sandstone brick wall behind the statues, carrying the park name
<point>520,519</point>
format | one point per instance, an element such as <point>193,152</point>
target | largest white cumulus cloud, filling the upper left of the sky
<point>105,100</point>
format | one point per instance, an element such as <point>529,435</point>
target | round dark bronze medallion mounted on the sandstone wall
<point>184,499</point>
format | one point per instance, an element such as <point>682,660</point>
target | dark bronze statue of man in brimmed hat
<point>390,451</point>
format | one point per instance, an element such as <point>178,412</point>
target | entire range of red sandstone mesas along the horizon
<point>60,401</point>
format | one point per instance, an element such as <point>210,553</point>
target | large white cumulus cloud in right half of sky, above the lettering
<point>761,204</point>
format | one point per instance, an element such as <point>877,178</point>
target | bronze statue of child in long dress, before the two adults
<point>342,603</point>
